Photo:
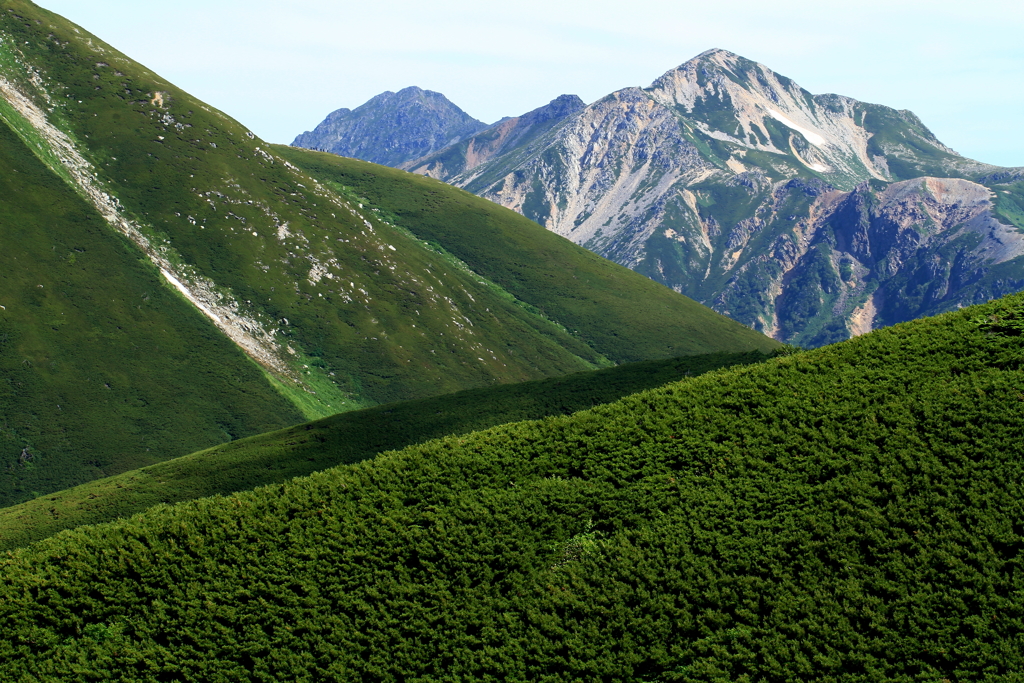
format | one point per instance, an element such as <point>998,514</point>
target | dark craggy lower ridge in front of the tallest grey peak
<point>816,265</point>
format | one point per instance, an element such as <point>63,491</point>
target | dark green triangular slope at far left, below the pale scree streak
<point>103,367</point>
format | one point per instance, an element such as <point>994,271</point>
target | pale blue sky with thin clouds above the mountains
<point>281,67</point>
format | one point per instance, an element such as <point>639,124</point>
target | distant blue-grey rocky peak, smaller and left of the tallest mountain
<point>393,129</point>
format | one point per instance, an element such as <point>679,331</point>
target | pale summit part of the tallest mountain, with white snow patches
<point>732,100</point>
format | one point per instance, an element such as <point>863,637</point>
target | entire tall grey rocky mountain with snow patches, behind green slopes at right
<point>812,219</point>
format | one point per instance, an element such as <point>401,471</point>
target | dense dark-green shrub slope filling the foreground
<point>852,514</point>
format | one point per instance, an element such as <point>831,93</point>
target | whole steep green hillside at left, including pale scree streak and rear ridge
<point>172,282</point>
